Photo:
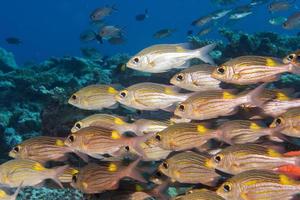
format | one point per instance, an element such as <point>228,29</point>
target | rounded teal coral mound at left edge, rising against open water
<point>7,61</point>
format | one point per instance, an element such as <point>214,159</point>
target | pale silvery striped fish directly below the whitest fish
<point>150,96</point>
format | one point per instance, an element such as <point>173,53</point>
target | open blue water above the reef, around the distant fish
<point>52,27</point>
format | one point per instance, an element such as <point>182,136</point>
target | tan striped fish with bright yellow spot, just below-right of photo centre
<point>184,136</point>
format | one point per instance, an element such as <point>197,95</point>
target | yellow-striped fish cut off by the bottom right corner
<point>259,185</point>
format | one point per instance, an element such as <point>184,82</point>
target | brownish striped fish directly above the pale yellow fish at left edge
<point>42,149</point>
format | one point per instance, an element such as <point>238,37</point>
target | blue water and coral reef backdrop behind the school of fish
<point>44,59</point>
